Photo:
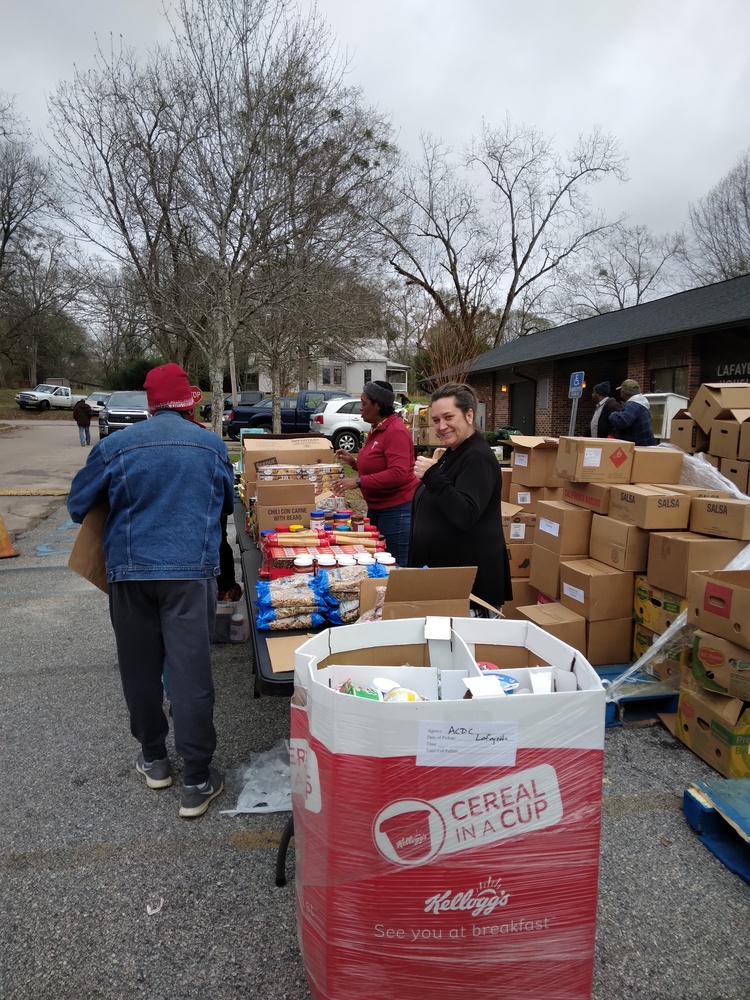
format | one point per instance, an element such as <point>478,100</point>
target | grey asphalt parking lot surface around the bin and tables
<point>86,850</point>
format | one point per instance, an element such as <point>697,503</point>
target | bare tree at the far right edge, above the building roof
<point>718,238</point>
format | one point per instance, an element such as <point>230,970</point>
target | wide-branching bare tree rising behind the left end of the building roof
<point>472,249</point>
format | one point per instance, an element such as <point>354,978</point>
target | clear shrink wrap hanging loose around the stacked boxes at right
<point>696,471</point>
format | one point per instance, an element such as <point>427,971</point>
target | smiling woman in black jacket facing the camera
<point>456,518</point>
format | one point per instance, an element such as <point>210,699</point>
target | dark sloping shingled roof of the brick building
<point>724,304</point>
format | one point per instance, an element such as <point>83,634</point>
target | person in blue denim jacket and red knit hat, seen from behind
<point>167,481</point>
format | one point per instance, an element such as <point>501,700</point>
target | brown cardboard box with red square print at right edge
<point>719,603</point>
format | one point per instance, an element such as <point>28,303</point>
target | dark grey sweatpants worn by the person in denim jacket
<point>172,620</point>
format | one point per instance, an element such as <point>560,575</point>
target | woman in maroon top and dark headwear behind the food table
<point>385,468</point>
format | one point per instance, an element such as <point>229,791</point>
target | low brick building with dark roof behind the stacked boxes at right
<point>668,345</point>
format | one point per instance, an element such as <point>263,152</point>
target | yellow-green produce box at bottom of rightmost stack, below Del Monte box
<point>715,727</point>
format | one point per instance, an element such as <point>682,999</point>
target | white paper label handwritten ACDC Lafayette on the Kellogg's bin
<point>467,744</point>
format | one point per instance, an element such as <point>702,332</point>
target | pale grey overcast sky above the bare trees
<point>669,78</point>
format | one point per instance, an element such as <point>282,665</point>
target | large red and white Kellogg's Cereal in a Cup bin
<point>446,847</point>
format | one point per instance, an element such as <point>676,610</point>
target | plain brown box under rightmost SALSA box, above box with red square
<point>674,555</point>
